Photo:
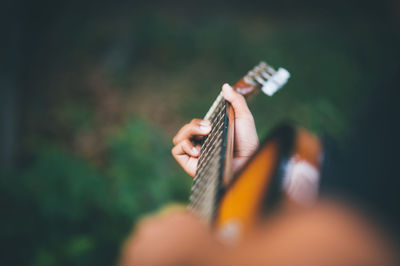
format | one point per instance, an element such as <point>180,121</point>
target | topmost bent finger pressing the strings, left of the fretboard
<point>196,127</point>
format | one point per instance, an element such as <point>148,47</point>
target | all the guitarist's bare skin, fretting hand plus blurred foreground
<point>328,233</point>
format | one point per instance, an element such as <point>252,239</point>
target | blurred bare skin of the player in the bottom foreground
<point>329,233</point>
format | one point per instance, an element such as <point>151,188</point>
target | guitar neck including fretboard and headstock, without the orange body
<point>214,165</point>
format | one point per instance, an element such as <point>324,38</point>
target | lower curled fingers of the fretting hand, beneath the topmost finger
<point>187,156</point>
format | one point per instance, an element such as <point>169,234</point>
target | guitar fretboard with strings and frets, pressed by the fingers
<point>210,165</point>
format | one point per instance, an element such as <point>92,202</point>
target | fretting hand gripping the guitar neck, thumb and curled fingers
<point>245,142</point>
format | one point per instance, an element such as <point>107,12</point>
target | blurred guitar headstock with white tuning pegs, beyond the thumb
<point>262,77</point>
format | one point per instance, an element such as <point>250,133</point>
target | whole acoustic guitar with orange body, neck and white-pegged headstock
<point>284,170</point>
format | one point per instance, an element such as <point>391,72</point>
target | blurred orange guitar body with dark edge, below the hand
<point>284,171</point>
